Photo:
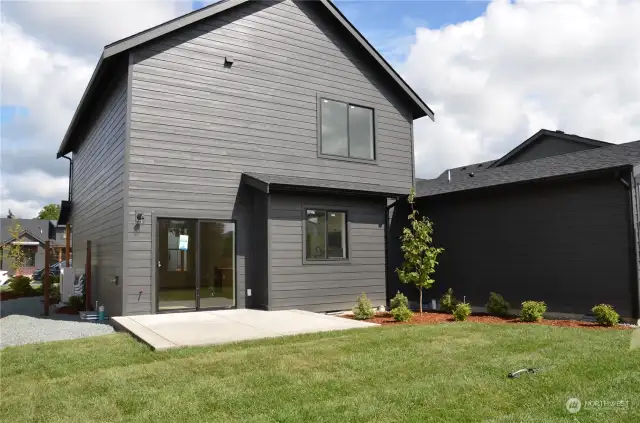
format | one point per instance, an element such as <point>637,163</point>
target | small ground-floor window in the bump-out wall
<point>325,234</point>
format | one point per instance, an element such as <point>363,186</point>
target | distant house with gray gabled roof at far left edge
<point>34,233</point>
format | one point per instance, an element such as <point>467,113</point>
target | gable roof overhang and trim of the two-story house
<point>114,50</point>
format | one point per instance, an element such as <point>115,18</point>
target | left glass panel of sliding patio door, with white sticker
<point>176,264</point>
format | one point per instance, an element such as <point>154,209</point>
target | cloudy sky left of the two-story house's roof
<point>48,51</point>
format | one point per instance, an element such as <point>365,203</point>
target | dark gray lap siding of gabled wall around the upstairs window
<point>196,126</point>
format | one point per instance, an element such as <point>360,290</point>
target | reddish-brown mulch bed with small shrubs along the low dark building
<point>430,318</point>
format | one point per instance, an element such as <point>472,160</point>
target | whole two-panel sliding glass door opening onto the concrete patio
<point>195,264</point>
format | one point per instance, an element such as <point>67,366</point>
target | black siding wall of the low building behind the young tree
<point>566,243</point>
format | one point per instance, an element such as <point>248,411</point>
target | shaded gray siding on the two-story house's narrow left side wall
<point>98,172</point>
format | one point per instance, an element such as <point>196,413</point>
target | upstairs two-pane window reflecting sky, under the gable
<point>347,130</point>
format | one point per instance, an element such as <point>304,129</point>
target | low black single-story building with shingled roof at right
<point>555,219</point>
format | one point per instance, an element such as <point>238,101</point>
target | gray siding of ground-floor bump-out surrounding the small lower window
<point>326,287</point>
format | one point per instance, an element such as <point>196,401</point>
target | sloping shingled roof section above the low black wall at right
<point>585,161</point>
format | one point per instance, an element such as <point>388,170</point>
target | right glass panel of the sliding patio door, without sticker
<point>217,264</point>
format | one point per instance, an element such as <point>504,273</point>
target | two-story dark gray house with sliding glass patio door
<point>242,155</point>
